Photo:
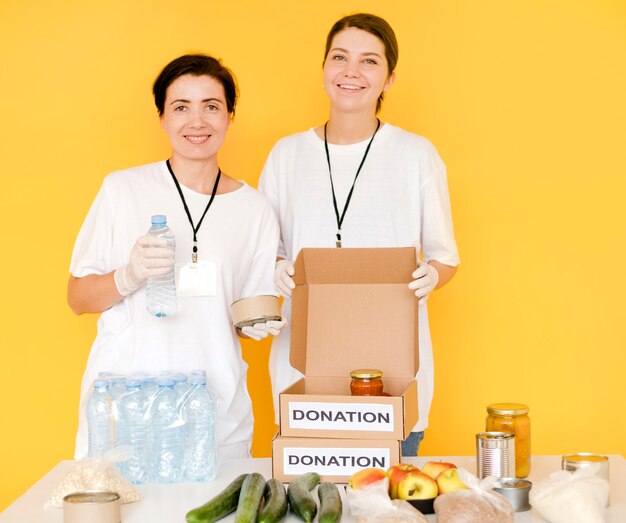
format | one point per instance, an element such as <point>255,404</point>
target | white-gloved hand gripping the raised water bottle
<point>150,256</point>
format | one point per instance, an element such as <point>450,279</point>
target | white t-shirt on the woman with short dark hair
<point>239,234</point>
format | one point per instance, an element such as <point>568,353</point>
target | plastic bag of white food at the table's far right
<point>572,497</point>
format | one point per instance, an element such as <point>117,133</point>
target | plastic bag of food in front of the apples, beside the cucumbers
<point>371,504</point>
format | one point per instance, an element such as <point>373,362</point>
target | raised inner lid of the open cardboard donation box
<point>352,308</point>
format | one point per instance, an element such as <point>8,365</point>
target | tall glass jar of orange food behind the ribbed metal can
<point>513,418</point>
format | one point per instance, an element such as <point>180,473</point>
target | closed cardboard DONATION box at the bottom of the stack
<point>334,460</point>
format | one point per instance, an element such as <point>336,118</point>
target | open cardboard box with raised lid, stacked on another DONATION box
<point>352,309</point>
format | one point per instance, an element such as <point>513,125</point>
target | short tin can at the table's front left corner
<point>92,506</point>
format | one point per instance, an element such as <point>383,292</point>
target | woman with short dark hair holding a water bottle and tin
<point>225,232</point>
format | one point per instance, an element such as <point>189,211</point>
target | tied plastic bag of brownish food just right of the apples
<point>476,504</point>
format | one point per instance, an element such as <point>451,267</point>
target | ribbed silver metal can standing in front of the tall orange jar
<point>495,454</point>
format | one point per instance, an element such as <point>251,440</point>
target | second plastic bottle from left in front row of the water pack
<point>133,430</point>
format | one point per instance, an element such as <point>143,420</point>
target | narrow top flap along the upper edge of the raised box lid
<point>389,265</point>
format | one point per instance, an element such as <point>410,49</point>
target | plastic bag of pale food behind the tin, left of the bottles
<point>97,473</point>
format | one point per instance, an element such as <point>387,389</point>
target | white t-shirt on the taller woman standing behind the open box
<point>400,198</point>
